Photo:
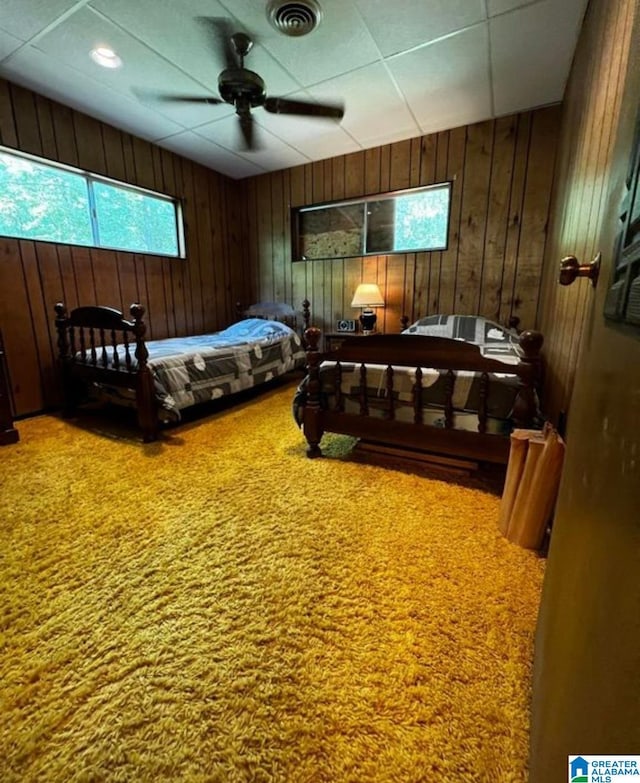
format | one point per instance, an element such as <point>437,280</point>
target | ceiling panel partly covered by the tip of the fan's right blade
<point>374,108</point>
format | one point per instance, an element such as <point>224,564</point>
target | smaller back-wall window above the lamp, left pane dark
<point>401,222</point>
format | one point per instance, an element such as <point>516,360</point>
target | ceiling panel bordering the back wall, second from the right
<point>447,83</point>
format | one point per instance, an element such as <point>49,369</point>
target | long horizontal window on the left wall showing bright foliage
<point>55,203</point>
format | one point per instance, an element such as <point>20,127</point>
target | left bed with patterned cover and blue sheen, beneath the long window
<point>101,352</point>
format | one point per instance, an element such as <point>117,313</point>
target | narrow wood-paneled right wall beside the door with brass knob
<point>590,118</point>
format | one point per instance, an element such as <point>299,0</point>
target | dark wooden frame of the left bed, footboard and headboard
<point>84,337</point>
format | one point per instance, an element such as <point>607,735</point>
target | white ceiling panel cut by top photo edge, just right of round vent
<point>399,26</point>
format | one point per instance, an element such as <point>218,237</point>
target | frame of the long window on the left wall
<point>89,178</point>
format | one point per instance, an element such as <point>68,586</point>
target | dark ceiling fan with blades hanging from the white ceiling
<point>245,90</point>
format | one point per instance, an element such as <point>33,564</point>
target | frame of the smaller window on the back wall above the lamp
<point>297,212</point>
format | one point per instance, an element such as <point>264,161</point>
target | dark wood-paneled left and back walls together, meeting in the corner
<point>239,233</point>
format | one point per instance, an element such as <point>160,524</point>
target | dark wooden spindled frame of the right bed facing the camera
<point>418,351</point>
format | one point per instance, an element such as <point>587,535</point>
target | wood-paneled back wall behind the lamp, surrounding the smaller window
<point>502,173</point>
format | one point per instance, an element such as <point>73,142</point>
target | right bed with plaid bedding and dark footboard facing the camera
<point>448,385</point>
